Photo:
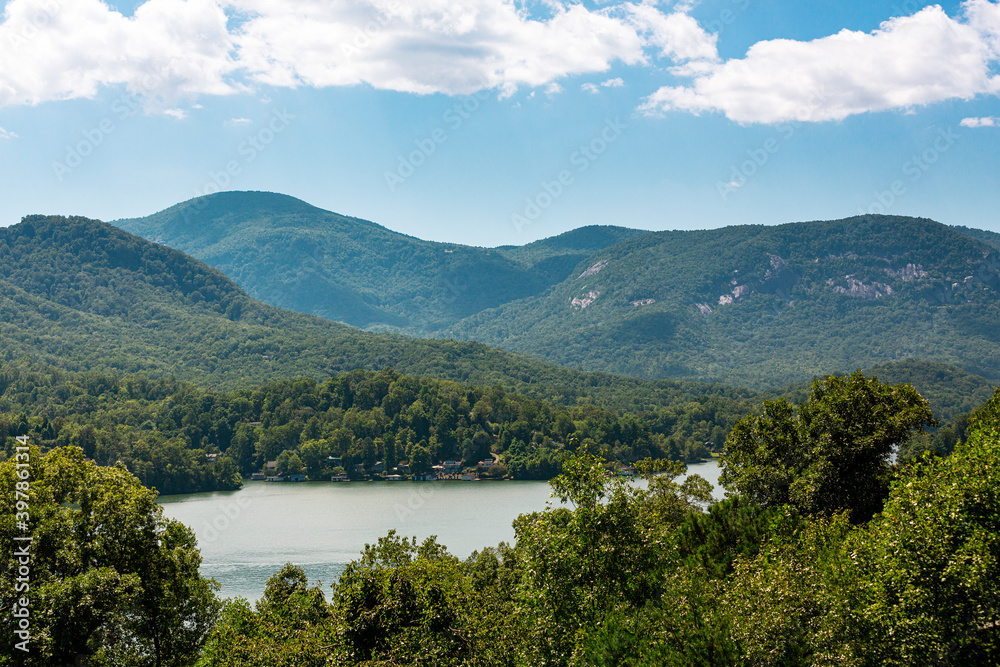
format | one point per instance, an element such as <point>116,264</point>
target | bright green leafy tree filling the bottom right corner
<point>931,561</point>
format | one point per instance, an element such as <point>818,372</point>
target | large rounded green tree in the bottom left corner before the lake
<point>110,577</point>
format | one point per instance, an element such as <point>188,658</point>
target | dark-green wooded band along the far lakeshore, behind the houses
<point>166,431</point>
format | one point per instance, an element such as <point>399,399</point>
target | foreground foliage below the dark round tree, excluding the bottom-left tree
<point>628,576</point>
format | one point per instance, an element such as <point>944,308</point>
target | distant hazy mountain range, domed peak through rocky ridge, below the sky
<point>757,306</point>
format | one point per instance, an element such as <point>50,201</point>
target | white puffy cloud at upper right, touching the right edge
<point>909,61</point>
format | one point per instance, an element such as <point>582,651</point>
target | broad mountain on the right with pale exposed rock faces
<point>763,306</point>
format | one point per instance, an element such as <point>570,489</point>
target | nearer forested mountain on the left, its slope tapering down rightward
<point>83,295</point>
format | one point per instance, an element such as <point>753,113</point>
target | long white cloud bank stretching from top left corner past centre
<point>172,51</point>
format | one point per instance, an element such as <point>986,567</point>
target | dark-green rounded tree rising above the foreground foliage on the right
<point>832,454</point>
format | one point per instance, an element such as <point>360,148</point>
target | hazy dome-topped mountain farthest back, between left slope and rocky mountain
<point>293,255</point>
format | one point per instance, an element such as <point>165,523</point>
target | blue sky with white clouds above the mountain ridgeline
<point>493,122</point>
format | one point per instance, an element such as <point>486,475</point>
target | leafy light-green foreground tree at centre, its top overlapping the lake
<point>599,564</point>
